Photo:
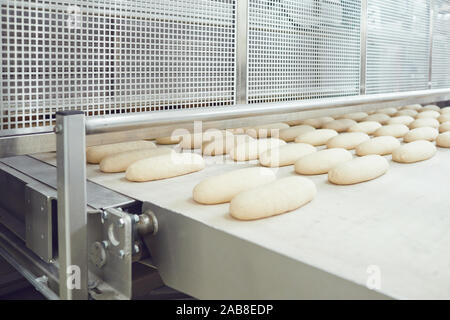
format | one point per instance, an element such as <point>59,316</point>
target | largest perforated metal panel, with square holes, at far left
<point>107,57</point>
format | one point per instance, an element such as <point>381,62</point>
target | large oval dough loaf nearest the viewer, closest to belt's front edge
<point>275,198</point>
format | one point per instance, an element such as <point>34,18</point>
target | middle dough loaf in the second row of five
<point>285,155</point>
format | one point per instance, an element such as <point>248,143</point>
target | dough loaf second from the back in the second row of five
<point>252,149</point>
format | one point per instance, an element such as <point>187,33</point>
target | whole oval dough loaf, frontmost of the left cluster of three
<point>164,166</point>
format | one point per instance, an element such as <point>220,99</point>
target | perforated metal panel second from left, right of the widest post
<point>303,49</point>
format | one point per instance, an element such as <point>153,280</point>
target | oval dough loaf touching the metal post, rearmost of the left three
<point>95,154</point>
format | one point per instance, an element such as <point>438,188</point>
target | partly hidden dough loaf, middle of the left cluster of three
<point>119,162</point>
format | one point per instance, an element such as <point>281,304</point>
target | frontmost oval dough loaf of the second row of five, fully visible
<point>358,170</point>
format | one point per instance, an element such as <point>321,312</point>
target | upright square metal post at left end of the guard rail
<point>72,216</point>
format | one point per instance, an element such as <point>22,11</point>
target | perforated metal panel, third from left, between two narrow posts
<point>398,44</point>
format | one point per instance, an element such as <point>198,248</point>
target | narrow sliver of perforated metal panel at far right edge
<point>441,44</point>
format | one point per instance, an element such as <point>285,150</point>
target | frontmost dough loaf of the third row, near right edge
<point>414,151</point>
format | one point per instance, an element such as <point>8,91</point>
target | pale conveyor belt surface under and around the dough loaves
<point>398,223</point>
